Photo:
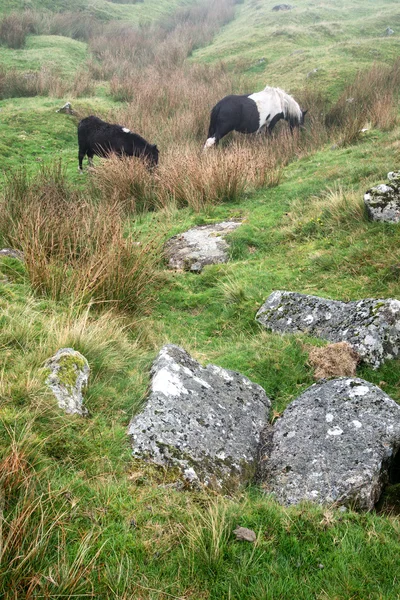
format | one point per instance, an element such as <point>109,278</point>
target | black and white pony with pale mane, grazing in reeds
<point>253,113</point>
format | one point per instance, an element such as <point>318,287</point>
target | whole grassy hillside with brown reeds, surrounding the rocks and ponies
<point>79,517</point>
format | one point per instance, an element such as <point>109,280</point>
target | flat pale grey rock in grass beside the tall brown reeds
<point>200,246</point>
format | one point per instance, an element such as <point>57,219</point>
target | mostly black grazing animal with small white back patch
<point>96,137</point>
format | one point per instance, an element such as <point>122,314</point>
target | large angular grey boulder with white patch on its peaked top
<point>205,421</point>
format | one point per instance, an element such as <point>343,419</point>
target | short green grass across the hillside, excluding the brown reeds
<point>99,524</point>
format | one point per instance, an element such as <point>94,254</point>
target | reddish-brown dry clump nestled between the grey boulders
<point>334,360</point>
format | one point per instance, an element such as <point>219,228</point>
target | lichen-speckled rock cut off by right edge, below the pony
<point>383,201</point>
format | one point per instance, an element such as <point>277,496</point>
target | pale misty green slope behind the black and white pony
<point>337,38</point>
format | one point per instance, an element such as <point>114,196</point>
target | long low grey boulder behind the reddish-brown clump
<point>371,327</point>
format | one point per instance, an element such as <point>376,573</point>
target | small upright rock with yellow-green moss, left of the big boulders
<point>67,374</point>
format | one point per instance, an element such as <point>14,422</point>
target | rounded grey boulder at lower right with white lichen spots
<point>333,444</point>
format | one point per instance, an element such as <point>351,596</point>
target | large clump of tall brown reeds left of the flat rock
<point>75,247</point>
